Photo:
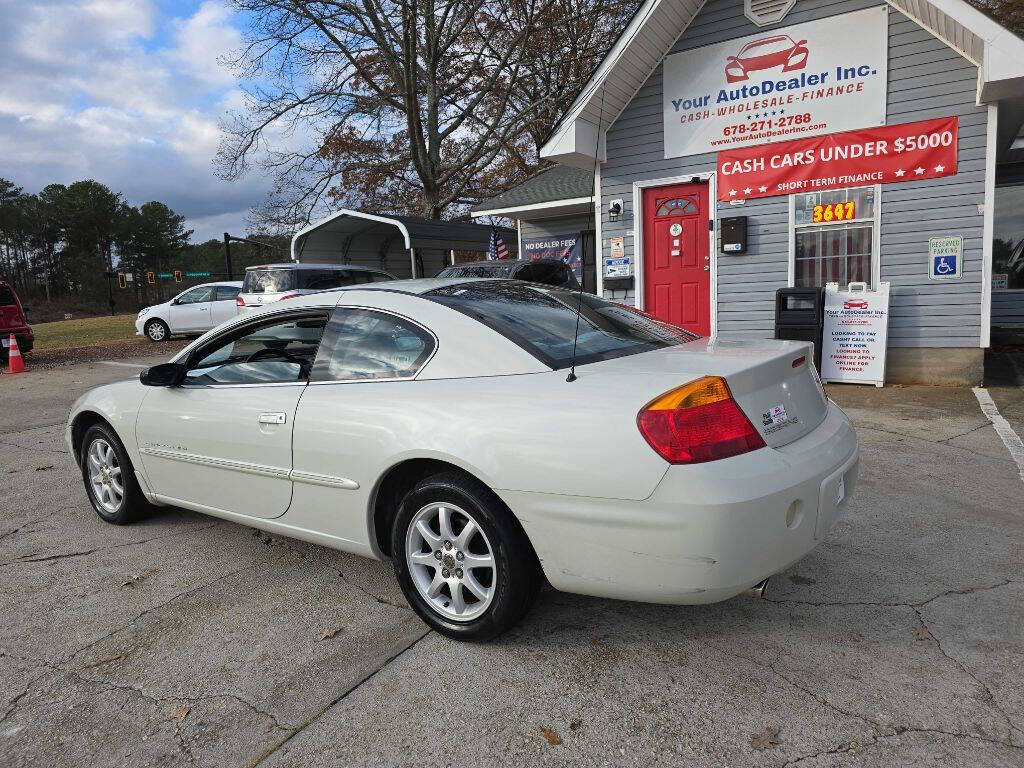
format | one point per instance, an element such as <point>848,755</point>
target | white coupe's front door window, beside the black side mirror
<point>282,351</point>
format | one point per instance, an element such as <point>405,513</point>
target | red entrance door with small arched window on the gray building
<point>676,257</point>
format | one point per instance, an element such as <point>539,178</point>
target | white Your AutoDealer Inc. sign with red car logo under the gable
<point>805,80</point>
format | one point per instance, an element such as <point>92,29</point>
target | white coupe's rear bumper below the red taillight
<point>708,533</point>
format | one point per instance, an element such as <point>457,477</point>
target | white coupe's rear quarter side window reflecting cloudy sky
<point>363,345</point>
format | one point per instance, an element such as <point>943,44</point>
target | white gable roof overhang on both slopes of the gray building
<point>658,25</point>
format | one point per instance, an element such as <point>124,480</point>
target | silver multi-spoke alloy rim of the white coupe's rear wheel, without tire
<point>451,562</point>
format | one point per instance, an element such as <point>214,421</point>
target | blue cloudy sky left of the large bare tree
<point>129,93</point>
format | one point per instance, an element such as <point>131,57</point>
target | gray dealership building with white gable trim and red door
<point>830,141</point>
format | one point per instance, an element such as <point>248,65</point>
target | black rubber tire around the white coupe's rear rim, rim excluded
<point>517,576</point>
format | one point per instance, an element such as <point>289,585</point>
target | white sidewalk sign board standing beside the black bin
<point>857,331</point>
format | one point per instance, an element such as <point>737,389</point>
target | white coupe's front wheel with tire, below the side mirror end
<point>110,479</point>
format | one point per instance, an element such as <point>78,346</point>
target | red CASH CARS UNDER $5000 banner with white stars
<point>873,156</point>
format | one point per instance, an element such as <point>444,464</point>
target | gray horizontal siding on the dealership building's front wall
<point>927,79</point>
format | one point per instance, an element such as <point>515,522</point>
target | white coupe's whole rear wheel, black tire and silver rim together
<point>462,560</point>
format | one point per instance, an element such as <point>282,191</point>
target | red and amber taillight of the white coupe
<point>698,422</point>
